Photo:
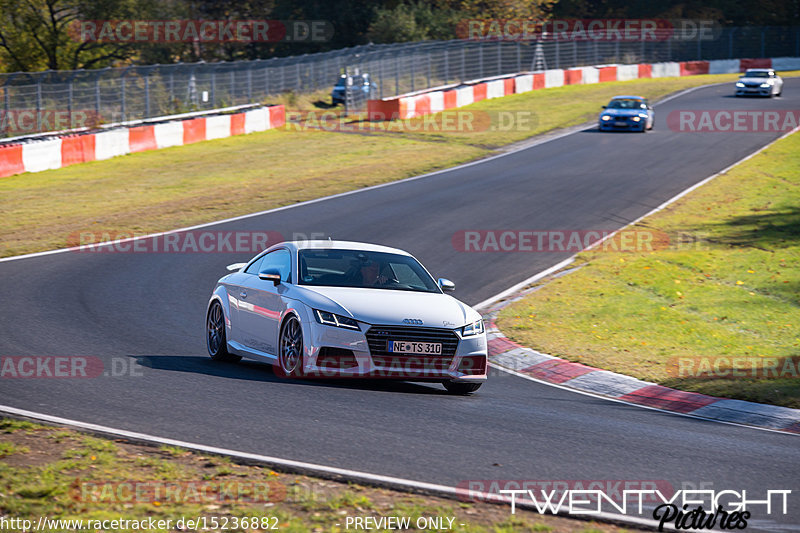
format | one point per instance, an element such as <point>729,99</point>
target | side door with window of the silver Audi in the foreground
<point>261,303</point>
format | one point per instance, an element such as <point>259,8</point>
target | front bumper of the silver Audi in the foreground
<point>332,352</point>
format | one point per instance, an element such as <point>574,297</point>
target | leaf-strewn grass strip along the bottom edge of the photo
<point>63,474</point>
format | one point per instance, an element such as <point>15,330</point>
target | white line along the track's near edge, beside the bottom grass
<point>297,466</point>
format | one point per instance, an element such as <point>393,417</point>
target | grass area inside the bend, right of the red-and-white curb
<point>718,314</point>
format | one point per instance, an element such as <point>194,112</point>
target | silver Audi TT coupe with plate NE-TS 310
<point>334,309</point>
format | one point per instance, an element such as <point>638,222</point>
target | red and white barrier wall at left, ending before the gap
<point>65,150</point>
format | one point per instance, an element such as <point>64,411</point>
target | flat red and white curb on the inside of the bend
<point>507,354</point>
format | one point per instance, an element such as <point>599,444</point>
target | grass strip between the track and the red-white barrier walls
<point>176,187</point>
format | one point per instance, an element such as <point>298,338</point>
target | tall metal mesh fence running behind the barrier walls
<point>32,102</point>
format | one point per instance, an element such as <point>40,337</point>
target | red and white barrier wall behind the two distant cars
<point>414,105</point>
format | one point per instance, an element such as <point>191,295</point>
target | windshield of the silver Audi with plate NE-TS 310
<point>365,269</point>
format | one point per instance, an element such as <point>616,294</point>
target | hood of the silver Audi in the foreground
<point>388,307</point>
